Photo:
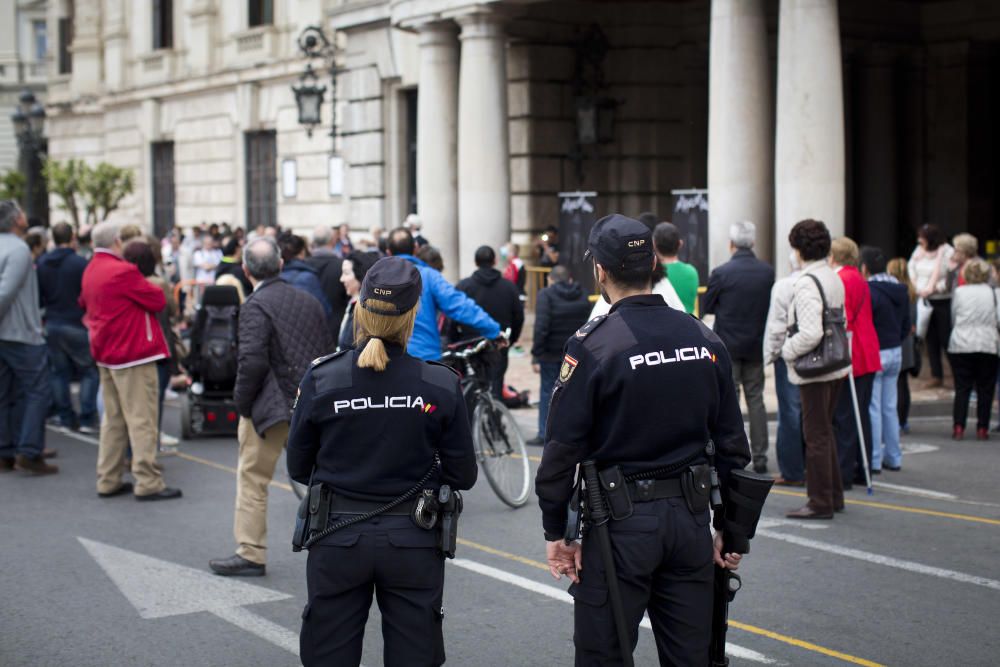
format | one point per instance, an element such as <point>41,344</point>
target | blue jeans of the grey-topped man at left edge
<point>25,396</point>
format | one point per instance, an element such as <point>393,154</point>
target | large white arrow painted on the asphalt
<point>157,589</point>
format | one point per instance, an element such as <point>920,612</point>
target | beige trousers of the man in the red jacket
<point>131,412</point>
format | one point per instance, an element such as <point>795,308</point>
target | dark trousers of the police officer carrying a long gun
<point>663,556</point>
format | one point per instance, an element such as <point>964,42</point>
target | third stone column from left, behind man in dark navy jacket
<point>740,130</point>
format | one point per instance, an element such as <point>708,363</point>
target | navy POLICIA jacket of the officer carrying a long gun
<point>645,387</point>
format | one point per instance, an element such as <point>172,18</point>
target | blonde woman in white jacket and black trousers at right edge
<point>974,347</point>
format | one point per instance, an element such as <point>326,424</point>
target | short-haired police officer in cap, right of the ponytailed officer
<point>642,390</point>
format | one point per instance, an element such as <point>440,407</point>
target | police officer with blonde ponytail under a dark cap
<point>374,428</point>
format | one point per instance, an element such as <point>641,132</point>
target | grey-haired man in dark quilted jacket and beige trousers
<point>281,330</point>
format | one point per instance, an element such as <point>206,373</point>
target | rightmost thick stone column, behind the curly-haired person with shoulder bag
<point>809,148</point>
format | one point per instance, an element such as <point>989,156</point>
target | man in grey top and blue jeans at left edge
<point>24,372</point>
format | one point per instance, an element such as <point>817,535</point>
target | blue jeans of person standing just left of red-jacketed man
<point>69,353</point>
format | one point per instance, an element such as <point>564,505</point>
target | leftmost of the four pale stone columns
<point>437,140</point>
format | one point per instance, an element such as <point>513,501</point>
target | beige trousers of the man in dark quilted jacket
<point>258,457</point>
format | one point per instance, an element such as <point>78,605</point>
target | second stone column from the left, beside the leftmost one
<point>483,151</point>
